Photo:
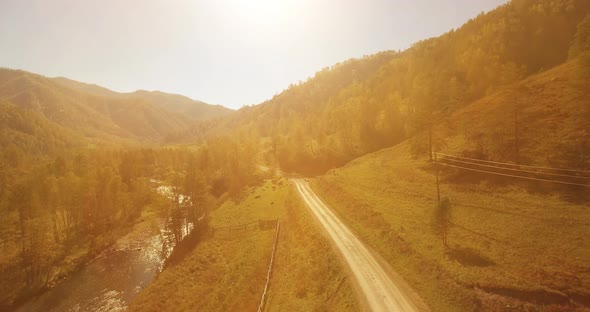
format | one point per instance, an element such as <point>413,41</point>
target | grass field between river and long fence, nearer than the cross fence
<point>218,275</point>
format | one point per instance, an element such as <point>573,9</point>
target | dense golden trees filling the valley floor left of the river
<point>60,212</point>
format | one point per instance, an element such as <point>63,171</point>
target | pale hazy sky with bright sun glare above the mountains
<point>228,52</point>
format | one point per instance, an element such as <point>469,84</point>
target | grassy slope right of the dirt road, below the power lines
<point>513,247</point>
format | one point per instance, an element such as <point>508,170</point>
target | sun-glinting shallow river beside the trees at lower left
<point>112,280</point>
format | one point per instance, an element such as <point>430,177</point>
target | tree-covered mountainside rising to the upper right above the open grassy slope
<point>362,105</point>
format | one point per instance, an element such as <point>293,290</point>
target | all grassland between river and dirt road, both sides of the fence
<point>227,272</point>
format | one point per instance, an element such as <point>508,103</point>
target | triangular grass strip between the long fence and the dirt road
<point>308,276</point>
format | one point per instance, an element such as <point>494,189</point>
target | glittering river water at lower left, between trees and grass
<point>102,281</point>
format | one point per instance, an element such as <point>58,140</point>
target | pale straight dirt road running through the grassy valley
<point>381,293</point>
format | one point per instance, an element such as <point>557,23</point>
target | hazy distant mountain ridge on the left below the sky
<point>98,113</point>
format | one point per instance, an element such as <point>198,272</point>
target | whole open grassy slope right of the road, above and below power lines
<point>511,242</point>
